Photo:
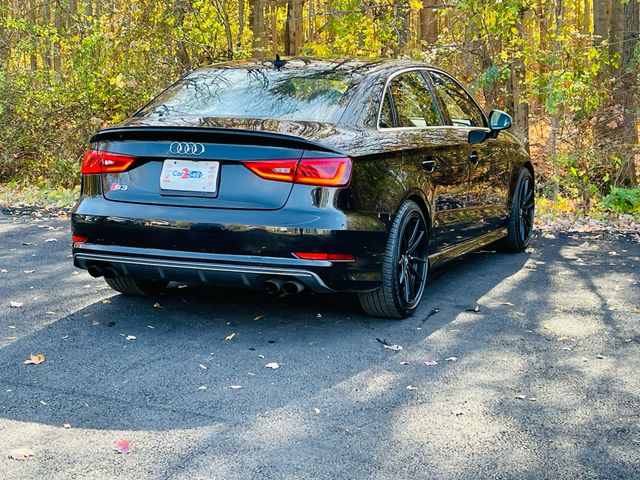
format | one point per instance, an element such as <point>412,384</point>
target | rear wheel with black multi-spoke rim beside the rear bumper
<point>404,268</point>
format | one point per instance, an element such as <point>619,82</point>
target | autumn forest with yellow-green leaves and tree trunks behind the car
<point>566,70</point>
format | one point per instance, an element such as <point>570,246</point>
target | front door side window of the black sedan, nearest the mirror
<point>462,109</point>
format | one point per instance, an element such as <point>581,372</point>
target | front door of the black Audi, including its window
<point>488,162</point>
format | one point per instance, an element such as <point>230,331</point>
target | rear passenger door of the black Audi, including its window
<point>433,158</point>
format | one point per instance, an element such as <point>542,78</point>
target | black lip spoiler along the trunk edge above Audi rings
<point>208,135</point>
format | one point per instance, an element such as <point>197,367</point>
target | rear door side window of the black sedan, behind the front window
<point>413,101</point>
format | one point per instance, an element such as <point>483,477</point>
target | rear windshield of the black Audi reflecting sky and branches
<point>320,96</point>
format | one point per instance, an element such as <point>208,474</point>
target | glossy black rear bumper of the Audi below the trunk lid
<point>230,248</point>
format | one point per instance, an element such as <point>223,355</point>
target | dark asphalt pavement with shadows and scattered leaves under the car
<point>520,366</point>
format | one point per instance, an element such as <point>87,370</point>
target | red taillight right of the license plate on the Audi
<point>326,172</point>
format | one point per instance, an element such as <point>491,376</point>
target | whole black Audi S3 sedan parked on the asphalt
<point>302,175</point>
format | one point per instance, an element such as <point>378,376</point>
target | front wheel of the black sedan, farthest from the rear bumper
<point>520,226</point>
